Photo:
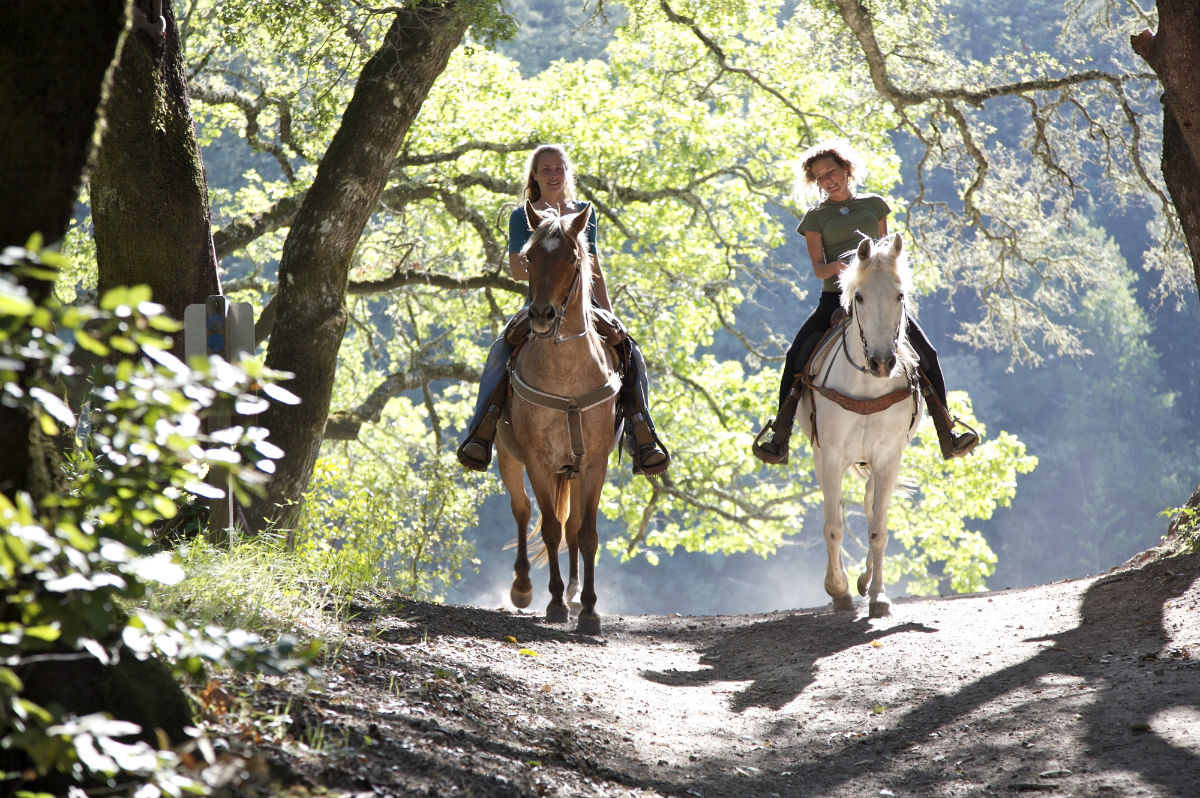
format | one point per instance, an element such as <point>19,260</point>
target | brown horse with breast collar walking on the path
<point>562,415</point>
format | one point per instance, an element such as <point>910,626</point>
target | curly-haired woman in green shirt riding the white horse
<point>832,231</point>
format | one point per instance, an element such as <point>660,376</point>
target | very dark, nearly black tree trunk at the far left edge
<point>55,59</point>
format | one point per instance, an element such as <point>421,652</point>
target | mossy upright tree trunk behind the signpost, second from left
<point>149,195</point>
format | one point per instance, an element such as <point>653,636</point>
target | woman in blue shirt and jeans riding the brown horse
<point>550,183</point>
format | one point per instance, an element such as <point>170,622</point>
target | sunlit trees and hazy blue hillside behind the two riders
<point>1055,327</point>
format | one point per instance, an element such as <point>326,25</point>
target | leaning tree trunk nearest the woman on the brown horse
<point>316,260</point>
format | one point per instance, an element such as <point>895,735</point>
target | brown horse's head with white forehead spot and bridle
<point>559,255</point>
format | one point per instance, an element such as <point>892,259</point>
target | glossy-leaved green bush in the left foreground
<point>71,563</point>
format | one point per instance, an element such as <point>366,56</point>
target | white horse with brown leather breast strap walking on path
<point>863,409</point>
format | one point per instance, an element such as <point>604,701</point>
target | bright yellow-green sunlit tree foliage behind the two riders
<point>689,166</point>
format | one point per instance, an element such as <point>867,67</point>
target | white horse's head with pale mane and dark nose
<point>874,291</point>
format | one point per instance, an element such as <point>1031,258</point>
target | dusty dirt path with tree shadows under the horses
<point>1083,688</point>
